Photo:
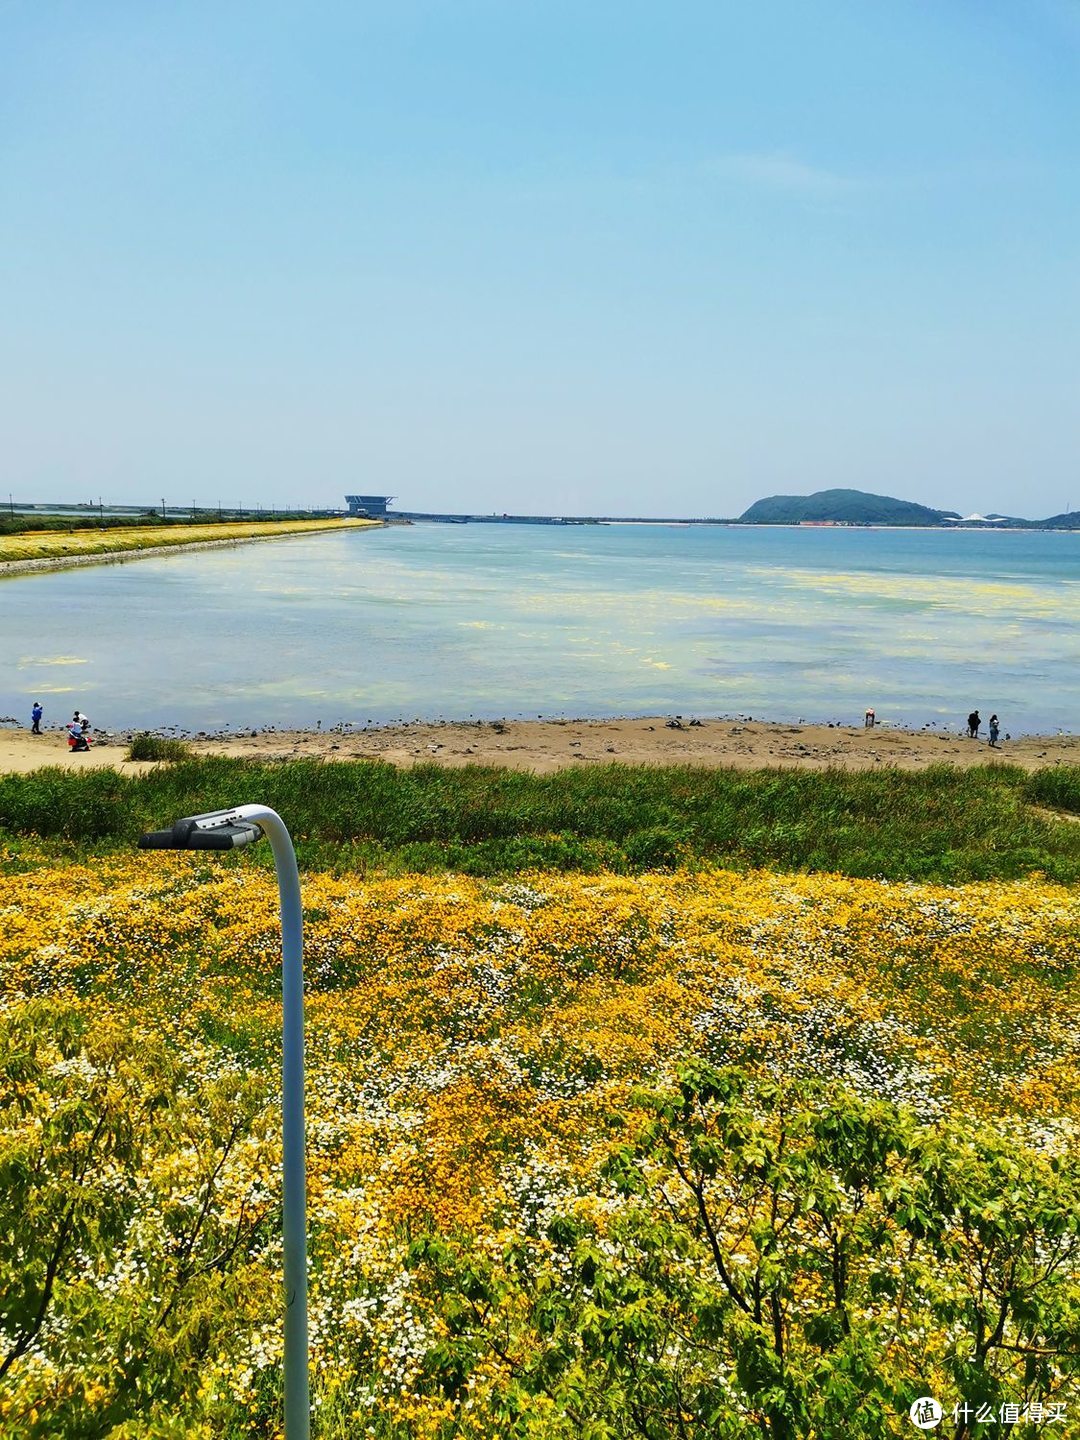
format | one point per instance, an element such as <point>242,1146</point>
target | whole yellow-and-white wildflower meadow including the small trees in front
<point>670,1154</point>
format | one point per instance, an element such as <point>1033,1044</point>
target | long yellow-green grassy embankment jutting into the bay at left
<point>51,541</point>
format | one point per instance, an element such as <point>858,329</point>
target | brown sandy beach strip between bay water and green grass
<point>551,745</point>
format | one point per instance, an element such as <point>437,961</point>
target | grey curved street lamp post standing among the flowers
<point>227,830</point>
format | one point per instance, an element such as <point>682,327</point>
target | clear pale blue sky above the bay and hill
<point>593,257</point>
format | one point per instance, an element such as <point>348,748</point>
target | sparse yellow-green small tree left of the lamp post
<point>129,1243</point>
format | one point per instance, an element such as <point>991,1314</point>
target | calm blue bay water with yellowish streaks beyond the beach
<point>489,621</point>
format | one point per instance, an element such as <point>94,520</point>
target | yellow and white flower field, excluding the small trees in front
<point>469,1043</point>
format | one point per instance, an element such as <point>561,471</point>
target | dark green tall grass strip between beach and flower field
<point>942,824</point>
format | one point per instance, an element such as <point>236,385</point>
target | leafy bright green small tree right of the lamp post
<point>775,1261</point>
